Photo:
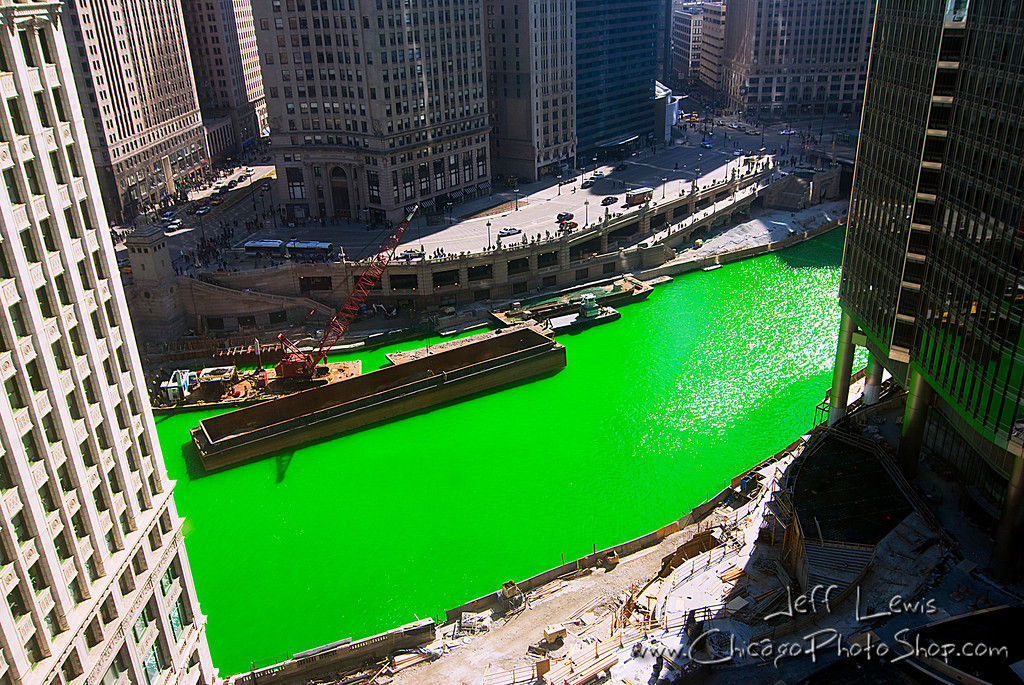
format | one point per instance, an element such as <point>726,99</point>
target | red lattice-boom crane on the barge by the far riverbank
<point>297,364</point>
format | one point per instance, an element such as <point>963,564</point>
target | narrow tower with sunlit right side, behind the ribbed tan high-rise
<point>226,65</point>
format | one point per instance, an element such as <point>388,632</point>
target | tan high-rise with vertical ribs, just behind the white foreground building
<point>134,73</point>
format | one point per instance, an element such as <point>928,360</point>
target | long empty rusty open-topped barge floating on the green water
<point>419,384</point>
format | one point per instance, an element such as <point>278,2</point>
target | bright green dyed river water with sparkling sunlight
<point>655,413</point>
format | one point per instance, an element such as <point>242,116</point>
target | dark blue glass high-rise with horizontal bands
<point>616,65</point>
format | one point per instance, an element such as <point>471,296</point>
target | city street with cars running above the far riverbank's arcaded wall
<point>471,228</point>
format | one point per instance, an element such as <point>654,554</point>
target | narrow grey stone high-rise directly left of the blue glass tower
<point>531,53</point>
